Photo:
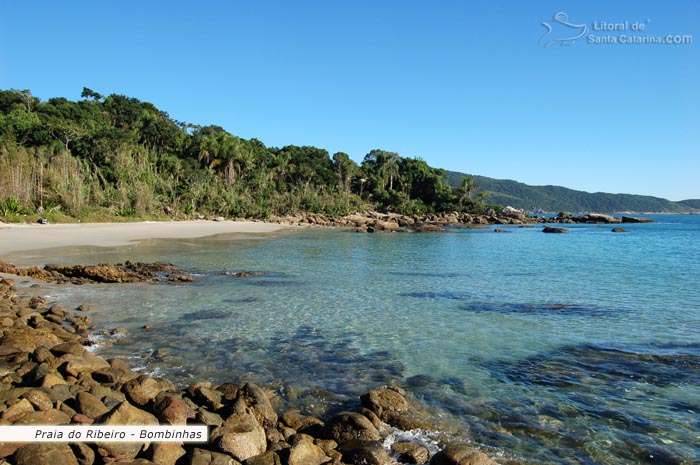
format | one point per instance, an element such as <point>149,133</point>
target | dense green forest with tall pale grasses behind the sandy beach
<point>108,157</point>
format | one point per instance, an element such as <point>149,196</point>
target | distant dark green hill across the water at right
<point>556,198</point>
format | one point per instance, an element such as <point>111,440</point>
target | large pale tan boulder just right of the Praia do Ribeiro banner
<point>241,435</point>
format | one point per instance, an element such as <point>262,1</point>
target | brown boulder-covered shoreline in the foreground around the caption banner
<point>49,377</point>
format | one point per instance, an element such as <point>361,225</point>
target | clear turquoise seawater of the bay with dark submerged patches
<point>581,348</point>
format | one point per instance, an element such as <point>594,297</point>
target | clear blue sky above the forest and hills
<point>467,86</point>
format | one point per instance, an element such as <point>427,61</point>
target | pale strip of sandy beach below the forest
<point>15,237</point>
